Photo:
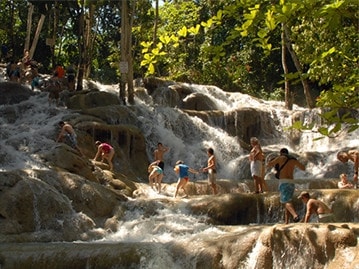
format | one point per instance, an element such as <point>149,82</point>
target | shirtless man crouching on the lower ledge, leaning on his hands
<point>315,207</point>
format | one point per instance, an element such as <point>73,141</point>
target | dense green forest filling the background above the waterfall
<point>301,51</point>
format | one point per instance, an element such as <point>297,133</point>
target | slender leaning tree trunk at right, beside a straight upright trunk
<point>299,68</point>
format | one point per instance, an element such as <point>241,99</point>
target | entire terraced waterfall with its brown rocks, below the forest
<point>69,211</point>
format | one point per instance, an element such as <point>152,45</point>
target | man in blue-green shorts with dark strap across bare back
<point>286,185</point>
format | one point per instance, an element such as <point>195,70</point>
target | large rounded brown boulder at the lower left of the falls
<point>60,206</point>
